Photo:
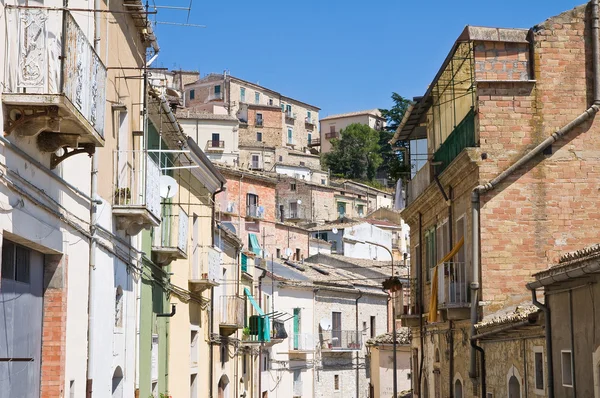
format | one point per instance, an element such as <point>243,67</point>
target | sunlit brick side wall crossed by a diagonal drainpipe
<point>548,207</point>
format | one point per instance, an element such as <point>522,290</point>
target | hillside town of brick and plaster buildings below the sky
<point>171,233</point>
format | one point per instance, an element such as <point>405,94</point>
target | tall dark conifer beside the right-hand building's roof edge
<point>393,160</point>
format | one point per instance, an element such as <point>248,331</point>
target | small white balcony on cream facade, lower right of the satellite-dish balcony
<point>205,269</point>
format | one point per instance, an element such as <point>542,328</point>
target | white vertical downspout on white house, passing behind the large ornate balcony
<point>93,230</point>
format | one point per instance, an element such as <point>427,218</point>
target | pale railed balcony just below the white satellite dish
<point>170,238</point>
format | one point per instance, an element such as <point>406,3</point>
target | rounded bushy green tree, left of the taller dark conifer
<point>356,154</point>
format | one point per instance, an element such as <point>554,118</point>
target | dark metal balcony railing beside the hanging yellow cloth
<point>453,285</point>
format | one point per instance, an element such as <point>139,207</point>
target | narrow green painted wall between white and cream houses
<point>154,300</point>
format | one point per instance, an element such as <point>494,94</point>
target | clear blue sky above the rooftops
<point>341,56</point>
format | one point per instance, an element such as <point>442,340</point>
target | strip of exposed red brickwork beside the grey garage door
<point>54,327</point>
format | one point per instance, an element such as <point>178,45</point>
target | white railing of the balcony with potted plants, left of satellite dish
<point>137,181</point>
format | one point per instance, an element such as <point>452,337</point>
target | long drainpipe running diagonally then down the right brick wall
<point>481,189</point>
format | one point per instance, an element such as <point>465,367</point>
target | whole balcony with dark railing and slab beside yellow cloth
<point>453,290</point>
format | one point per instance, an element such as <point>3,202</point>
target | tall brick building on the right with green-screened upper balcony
<point>518,88</point>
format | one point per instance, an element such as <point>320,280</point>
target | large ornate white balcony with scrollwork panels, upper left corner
<point>59,97</point>
